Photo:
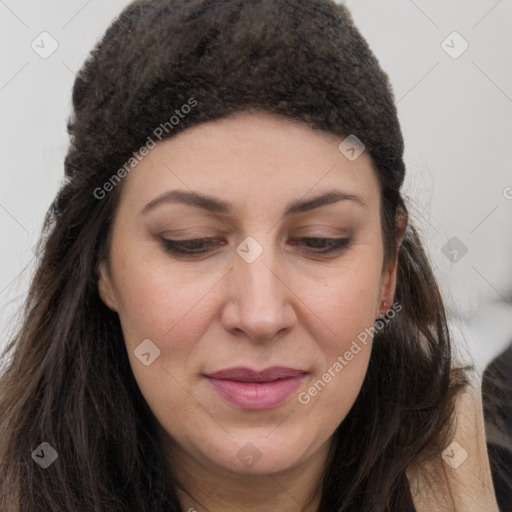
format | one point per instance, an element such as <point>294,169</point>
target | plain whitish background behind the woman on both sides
<point>456,117</point>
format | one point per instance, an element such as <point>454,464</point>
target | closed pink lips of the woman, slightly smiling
<point>251,389</point>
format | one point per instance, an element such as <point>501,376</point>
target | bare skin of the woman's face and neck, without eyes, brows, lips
<point>290,307</point>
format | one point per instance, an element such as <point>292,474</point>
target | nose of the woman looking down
<point>259,300</point>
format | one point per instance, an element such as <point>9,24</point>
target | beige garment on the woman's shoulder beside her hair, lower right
<point>460,479</point>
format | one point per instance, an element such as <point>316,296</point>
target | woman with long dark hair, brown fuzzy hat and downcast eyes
<point>232,310</point>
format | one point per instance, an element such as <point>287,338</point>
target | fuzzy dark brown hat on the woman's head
<point>231,55</point>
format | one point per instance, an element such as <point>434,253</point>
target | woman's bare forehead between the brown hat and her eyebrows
<point>250,159</point>
